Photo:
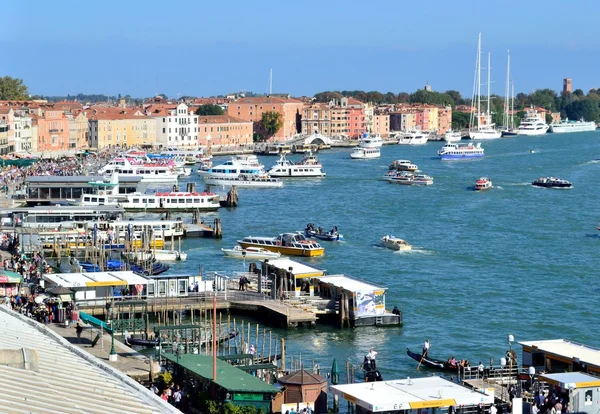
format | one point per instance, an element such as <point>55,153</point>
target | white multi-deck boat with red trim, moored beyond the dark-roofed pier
<point>157,173</point>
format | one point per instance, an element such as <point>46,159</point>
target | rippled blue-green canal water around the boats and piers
<point>514,260</point>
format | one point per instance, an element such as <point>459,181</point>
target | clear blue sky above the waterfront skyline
<point>205,48</point>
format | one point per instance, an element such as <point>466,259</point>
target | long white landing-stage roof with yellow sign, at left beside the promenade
<point>95,279</point>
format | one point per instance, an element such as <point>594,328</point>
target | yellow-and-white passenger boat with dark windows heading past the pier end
<point>291,244</point>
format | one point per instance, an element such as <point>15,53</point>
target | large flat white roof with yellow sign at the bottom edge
<point>410,394</point>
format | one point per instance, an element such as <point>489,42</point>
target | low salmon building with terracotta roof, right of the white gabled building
<point>223,130</point>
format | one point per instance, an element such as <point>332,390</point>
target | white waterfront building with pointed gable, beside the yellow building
<point>176,127</point>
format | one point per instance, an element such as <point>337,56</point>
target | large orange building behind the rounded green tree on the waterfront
<point>251,109</point>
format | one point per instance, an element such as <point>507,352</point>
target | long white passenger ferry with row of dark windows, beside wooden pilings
<point>172,201</point>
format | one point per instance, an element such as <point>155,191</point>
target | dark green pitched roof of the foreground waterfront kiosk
<point>229,377</point>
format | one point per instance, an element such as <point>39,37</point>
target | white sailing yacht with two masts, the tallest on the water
<point>484,129</point>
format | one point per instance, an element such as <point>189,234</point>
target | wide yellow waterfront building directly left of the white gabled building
<point>109,129</point>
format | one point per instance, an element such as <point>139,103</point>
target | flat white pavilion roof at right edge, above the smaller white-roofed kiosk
<point>566,349</point>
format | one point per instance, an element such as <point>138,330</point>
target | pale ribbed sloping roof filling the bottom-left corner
<point>53,376</point>
